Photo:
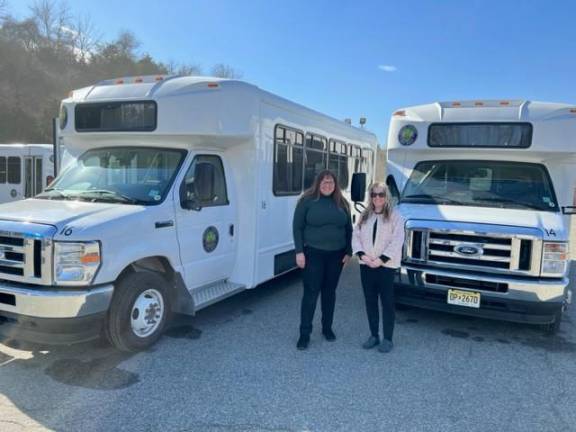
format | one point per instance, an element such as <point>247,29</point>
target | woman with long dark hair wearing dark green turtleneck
<point>322,235</point>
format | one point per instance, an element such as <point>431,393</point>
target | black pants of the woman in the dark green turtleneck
<point>320,276</point>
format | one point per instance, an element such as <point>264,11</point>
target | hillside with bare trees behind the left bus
<point>50,52</point>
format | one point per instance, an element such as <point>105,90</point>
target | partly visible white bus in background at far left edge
<point>25,170</point>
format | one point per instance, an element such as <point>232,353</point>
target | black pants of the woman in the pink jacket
<point>379,283</point>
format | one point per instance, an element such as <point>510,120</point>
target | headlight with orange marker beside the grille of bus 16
<point>76,263</point>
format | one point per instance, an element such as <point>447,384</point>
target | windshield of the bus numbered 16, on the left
<point>129,175</point>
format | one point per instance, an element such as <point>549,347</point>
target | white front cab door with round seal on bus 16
<point>206,222</point>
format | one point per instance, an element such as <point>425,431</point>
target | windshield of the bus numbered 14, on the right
<point>481,183</point>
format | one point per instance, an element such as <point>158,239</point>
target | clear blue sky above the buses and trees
<point>353,59</point>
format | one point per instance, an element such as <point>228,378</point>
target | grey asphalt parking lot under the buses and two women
<point>234,367</point>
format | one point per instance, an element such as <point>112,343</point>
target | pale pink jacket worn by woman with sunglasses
<point>389,238</point>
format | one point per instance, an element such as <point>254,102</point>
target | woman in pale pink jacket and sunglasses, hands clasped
<point>377,241</point>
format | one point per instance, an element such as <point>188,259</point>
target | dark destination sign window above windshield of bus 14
<point>495,135</point>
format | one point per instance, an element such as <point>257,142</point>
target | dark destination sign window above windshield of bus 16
<point>116,117</point>
